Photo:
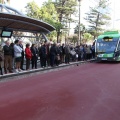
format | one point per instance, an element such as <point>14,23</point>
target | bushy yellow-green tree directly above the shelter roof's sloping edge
<point>46,13</point>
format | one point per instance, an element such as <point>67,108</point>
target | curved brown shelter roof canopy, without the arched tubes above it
<point>24,23</point>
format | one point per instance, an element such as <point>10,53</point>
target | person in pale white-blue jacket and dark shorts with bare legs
<point>18,56</point>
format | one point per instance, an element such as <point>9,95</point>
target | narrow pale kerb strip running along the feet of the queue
<point>44,69</point>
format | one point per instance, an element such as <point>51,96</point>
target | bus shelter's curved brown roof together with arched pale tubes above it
<point>17,21</point>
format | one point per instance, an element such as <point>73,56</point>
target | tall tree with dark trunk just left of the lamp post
<point>64,10</point>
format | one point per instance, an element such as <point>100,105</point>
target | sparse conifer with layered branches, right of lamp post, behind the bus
<point>98,17</point>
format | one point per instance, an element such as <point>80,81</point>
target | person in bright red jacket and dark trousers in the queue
<point>28,55</point>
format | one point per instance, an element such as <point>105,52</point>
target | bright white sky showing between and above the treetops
<point>115,9</point>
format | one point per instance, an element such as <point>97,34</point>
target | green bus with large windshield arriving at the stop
<point>107,46</point>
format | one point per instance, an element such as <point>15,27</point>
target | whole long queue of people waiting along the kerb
<point>14,55</point>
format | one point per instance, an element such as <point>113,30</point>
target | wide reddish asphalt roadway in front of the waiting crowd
<point>85,92</point>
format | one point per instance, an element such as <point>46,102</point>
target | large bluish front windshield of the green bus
<point>106,47</point>
